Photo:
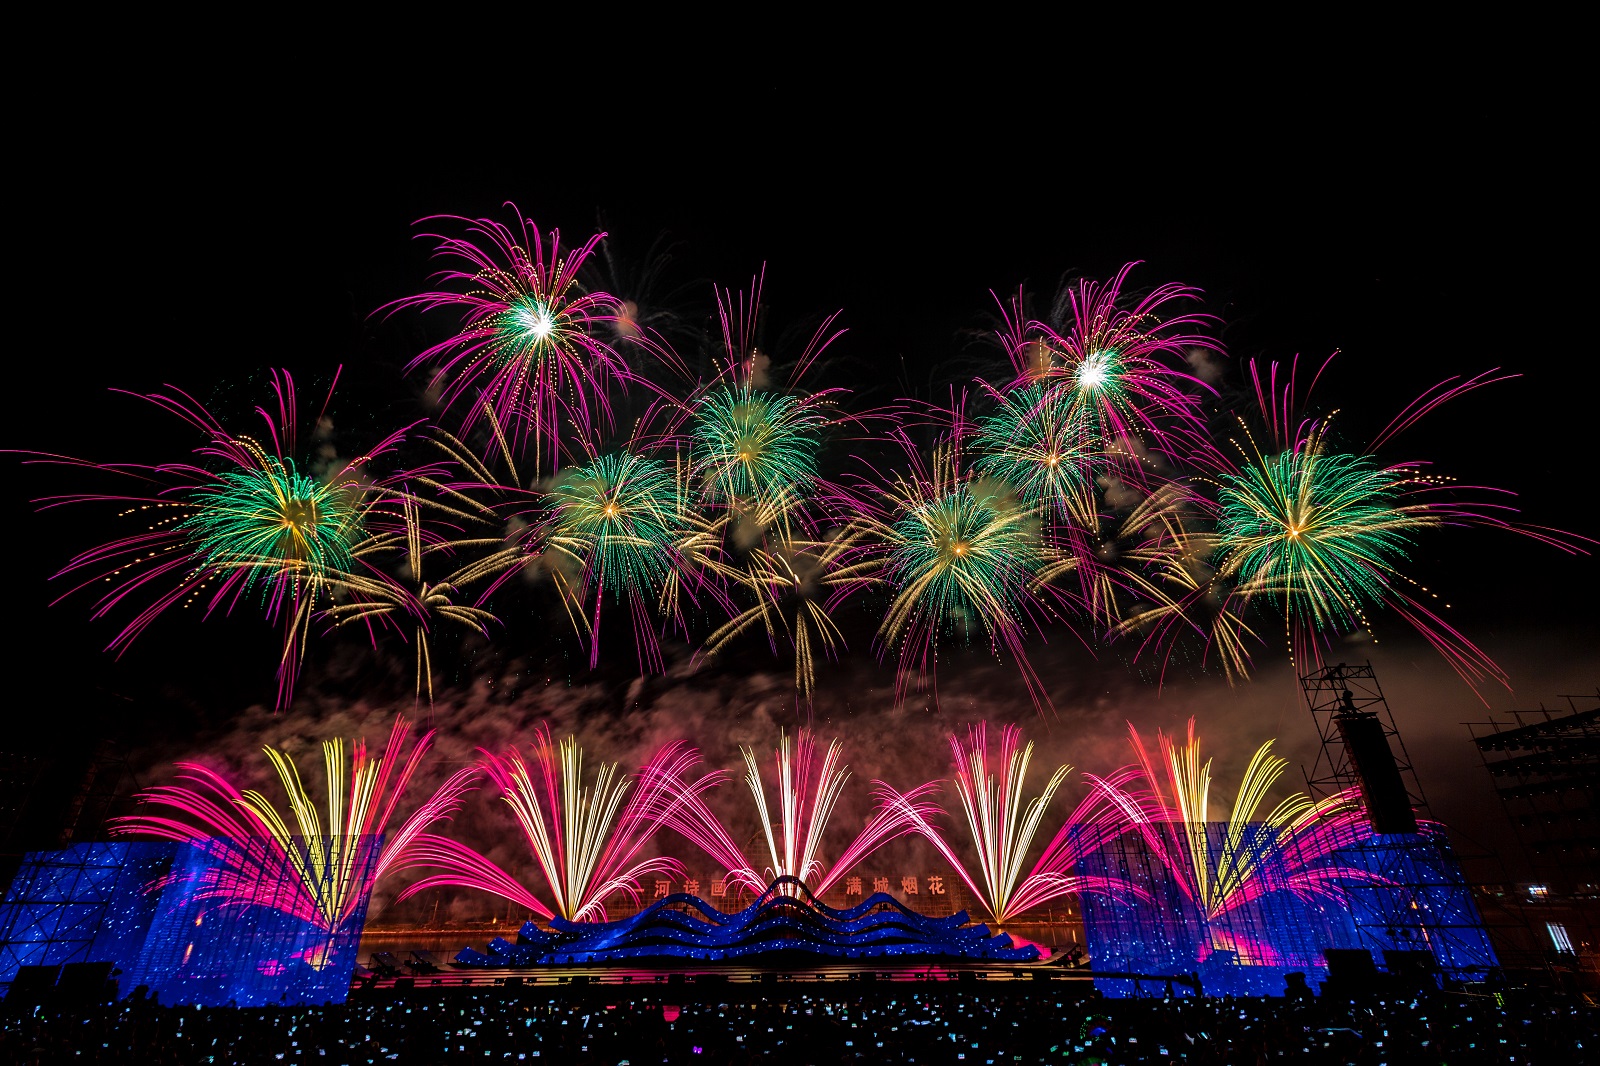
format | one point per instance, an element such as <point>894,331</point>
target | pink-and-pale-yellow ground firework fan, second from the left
<point>585,838</point>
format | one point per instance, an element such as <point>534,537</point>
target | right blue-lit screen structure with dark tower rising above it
<point>1394,892</point>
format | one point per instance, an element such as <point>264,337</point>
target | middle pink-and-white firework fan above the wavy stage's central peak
<point>807,791</point>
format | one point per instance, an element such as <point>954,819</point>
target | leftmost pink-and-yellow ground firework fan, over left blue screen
<point>319,873</point>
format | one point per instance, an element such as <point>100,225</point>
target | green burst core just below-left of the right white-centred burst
<point>1038,444</point>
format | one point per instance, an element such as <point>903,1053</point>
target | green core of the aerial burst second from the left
<point>620,516</point>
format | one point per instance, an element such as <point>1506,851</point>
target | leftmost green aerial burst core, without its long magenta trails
<point>276,524</point>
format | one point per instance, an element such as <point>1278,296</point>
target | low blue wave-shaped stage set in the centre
<point>783,920</point>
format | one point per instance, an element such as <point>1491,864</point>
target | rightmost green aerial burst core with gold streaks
<point>1319,531</point>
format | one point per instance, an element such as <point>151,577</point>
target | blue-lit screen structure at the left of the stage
<point>174,920</point>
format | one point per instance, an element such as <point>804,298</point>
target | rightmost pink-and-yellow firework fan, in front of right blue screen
<point>1292,849</point>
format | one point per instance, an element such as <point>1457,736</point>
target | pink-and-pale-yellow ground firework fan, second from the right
<point>1002,830</point>
